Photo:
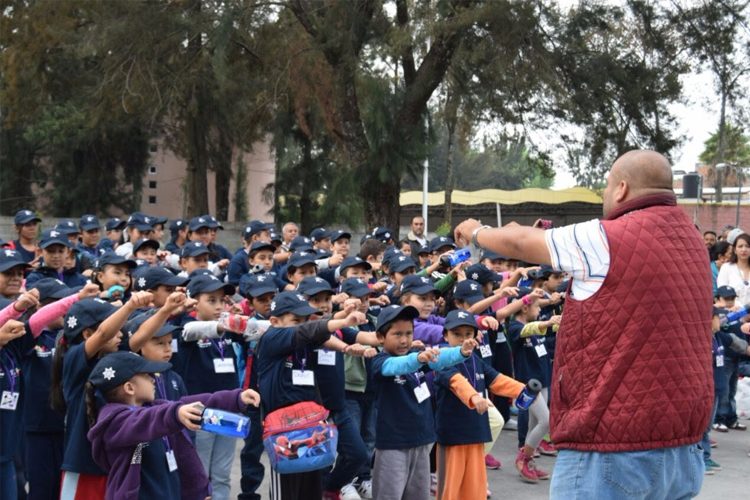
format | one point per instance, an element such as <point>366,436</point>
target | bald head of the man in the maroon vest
<point>636,173</point>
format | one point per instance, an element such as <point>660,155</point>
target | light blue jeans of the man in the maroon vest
<point>673,473</point>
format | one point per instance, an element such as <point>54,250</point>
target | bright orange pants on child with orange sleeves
<point>461,472</point>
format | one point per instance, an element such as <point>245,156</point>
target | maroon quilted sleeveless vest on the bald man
<point>633,364</point>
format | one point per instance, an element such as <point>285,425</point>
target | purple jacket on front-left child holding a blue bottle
<point>120,430</point>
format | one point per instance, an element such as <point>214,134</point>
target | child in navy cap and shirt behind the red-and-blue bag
<point>286,363</point>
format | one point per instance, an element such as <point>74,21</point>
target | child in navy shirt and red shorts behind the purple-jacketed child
<point>92,329</point>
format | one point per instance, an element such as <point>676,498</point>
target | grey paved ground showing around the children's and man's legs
<point>728,484</point>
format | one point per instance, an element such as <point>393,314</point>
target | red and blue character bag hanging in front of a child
<point>298,438</point>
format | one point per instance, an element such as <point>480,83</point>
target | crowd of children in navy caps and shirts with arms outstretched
<point>111,345</point>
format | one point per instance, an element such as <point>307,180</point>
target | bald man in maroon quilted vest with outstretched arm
<point>632,380</point>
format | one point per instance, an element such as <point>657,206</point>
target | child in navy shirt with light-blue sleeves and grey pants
<point>405,423</point>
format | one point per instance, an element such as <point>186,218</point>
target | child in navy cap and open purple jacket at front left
<point>137,439</point>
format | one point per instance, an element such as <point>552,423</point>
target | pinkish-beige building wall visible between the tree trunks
<point>165,175</point>
